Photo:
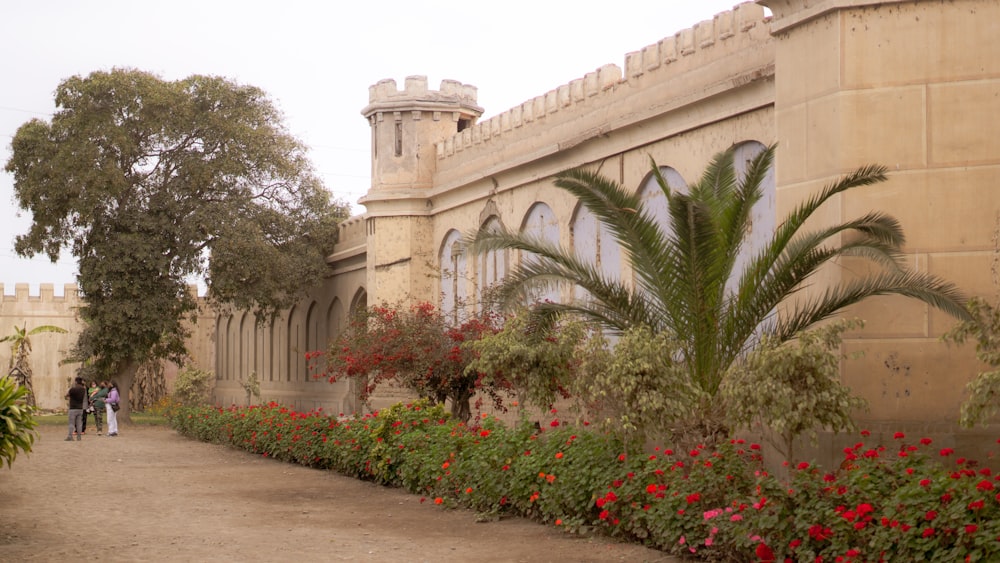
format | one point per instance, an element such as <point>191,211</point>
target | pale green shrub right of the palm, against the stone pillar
<point>794,387</point>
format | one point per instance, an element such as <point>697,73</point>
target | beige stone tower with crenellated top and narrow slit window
<point>406,125</point>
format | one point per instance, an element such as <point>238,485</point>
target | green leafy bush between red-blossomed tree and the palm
<point>538,362</point>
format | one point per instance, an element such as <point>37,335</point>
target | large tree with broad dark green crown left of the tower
<point>150,183</point>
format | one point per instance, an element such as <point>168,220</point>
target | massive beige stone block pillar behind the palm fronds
<point>914,86</point>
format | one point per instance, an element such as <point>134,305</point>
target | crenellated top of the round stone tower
<point>385,96</point>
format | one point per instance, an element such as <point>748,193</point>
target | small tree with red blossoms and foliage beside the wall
<point>417,349</point>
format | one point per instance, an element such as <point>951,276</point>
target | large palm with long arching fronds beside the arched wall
<point>681,275</point>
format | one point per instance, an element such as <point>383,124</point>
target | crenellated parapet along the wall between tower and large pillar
<point>687,50</point>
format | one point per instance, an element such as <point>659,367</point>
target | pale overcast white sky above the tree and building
<point>315,60</point>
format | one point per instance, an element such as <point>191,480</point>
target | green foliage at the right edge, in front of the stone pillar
<point>984,389</point>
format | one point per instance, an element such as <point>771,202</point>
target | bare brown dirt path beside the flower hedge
<point>152,495</point>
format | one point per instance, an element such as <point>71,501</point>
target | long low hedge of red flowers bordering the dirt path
<point>907,500</point>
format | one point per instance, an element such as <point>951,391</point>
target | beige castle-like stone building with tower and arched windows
<point>835,83</point>
